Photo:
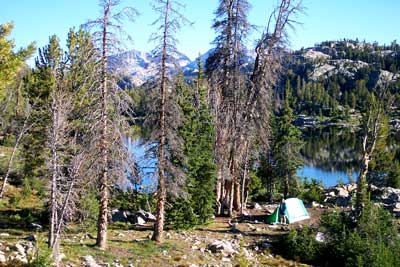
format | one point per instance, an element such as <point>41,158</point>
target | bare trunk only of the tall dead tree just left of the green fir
<point>161,190</point>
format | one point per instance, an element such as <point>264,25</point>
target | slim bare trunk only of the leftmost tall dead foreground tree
<point>103,181</point>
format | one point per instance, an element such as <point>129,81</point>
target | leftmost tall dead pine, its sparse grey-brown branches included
<point>110,113</point>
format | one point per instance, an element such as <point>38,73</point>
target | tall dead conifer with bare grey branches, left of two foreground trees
<point>107,26</point>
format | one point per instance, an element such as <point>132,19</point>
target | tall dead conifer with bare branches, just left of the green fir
<point>165,134</point>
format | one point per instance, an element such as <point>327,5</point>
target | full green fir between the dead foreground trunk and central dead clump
<point>197,132</point>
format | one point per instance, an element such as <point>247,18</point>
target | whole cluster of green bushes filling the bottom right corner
<point>371,241</point>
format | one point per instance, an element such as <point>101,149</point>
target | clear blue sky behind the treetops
<point>372,20</point>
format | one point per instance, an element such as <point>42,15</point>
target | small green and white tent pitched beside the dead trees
<point>295,212</point>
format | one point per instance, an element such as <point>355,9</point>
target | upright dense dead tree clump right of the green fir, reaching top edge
<point>227,87</point>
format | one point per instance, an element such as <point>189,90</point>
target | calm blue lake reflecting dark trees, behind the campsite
<point>330,155</point>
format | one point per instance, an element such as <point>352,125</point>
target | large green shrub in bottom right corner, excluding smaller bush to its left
<point>371,241</point>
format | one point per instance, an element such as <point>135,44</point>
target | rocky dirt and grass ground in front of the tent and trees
<point>129,245</point>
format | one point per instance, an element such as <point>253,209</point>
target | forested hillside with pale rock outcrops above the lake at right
<point>339,77</point>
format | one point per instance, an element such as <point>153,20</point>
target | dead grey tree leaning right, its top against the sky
<point>264,77</point>
